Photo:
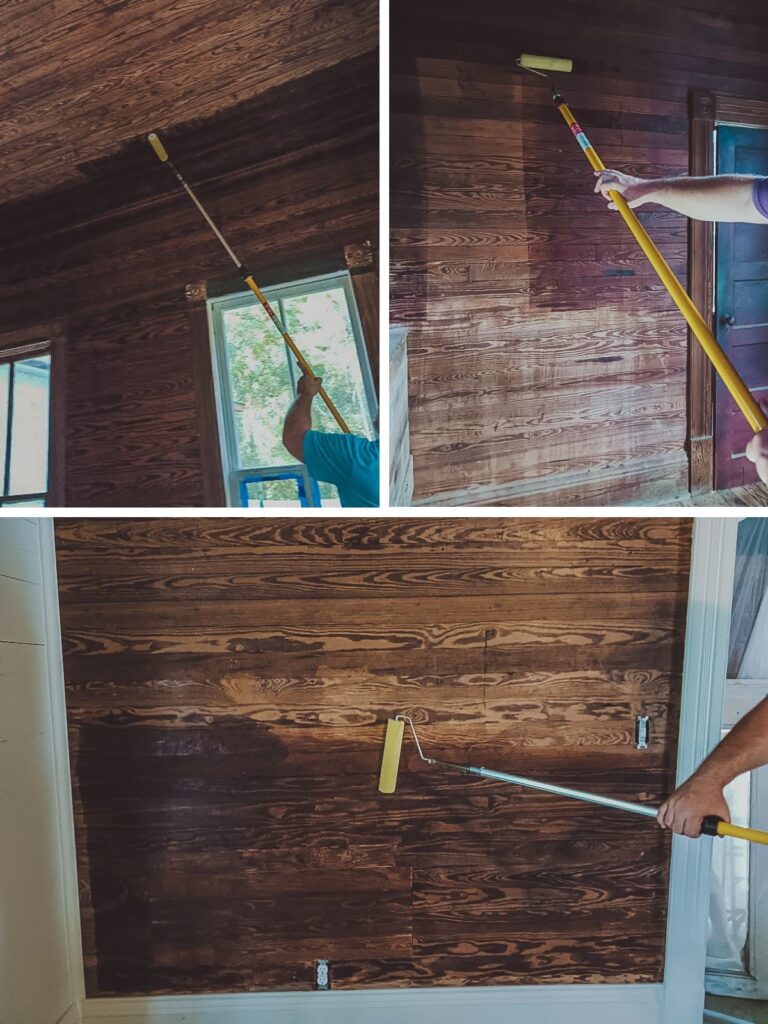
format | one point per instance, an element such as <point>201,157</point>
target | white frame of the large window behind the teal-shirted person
<point>228,431</point>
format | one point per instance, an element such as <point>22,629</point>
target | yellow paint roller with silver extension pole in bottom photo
<point>712,825</point>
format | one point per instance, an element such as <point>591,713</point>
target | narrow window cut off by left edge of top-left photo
<point>25,424</point>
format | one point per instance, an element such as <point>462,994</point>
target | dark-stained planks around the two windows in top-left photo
<point>291,178</point>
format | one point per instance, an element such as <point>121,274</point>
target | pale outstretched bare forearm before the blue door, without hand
<point>726,198</point>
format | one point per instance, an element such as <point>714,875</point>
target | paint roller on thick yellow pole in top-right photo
<point>729,373</point>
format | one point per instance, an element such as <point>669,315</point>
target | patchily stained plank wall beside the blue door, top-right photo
<point>547,363</point>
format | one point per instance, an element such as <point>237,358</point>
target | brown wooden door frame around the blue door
<point>707,110</point>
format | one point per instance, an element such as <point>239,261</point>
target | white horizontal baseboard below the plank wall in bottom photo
<point>501,1005</point>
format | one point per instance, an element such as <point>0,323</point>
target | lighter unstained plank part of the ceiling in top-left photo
<point>82,78</point>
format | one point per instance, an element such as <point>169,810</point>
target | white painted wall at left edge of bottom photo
<point>36,984</point>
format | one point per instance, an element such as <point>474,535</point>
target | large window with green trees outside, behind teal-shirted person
<point>257,377</point>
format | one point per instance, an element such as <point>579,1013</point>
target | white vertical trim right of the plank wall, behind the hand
<point>708,630</point>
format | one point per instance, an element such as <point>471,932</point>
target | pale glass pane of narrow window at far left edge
<point>29,452</point>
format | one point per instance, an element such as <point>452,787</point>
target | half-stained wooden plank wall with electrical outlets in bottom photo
<point>228,685</point>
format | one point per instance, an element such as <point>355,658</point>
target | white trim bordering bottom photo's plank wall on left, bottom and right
<point>678,1001</point>
